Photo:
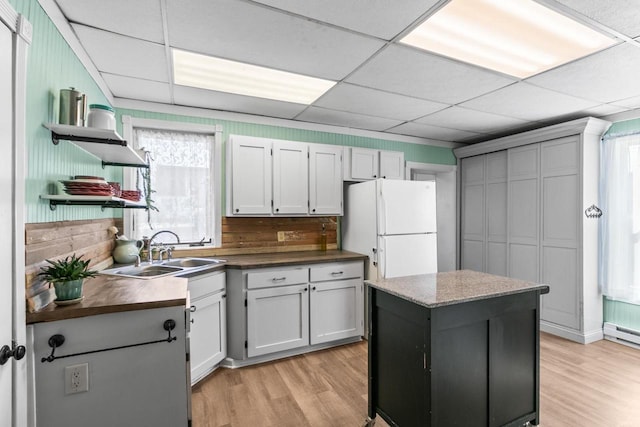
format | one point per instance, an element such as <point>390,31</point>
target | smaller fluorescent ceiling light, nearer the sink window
<point>208,72</point>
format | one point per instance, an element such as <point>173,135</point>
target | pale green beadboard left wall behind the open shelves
<point>52,66</point>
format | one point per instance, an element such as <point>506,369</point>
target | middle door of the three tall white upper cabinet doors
<point>290,178</point>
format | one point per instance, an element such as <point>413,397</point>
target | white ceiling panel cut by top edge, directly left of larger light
<point>379,18</point>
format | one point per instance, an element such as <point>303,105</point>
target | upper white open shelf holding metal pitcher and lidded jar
<point>105,144</point>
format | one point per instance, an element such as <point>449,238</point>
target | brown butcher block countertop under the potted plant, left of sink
<point>110,294</point>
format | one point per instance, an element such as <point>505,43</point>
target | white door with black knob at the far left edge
<point>6,225</point>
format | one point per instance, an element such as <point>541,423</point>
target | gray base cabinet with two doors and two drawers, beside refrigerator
<point>278,311</point>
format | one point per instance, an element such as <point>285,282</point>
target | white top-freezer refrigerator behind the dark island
<point>393,222</point>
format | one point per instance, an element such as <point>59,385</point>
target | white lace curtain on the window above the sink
<point>181,178</point>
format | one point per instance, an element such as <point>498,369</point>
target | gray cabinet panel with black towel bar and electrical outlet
<point>145,385</point>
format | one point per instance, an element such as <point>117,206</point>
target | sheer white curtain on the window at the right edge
<point>620,224</point>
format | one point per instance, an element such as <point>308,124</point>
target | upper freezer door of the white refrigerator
<point>406,207</point>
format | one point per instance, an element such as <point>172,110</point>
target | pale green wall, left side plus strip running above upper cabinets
<point>52,66</point>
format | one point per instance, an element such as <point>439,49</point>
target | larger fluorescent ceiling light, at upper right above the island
<point>516,37</point>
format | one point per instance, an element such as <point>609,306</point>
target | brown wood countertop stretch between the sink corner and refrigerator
<point>289,258</point>
